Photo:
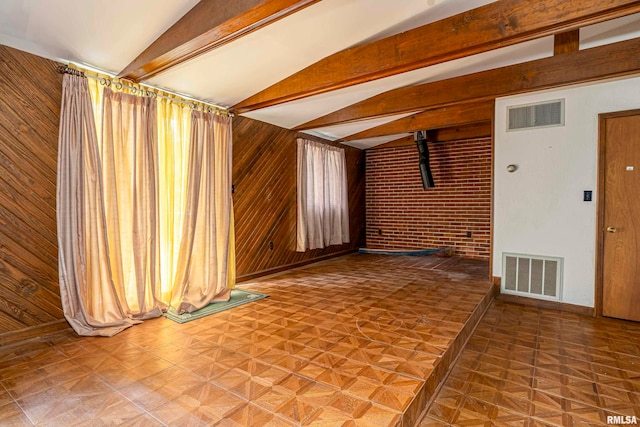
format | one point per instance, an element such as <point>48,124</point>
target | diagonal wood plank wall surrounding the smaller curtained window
<point>264,176</point>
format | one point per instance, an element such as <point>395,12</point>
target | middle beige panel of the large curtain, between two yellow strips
<point>130,177</point>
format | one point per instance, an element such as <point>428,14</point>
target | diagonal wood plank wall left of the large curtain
<point>29,115</point>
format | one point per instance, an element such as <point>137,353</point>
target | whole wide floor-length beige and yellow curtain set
<point>139,219</point>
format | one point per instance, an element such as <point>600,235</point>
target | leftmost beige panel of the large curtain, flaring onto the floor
<point>89,298</point>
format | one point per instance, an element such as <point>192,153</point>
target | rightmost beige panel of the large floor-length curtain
<point>206,262</point>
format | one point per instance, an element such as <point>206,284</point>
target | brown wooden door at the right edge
<point>621,258</point>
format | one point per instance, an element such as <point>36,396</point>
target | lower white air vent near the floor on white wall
<point>532,276</point>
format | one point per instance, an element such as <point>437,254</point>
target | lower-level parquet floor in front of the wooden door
<point>526,366</point>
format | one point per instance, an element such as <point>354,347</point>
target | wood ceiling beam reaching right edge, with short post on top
<point>612,60</point>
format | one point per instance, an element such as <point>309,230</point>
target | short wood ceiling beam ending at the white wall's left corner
<point>455,115</point>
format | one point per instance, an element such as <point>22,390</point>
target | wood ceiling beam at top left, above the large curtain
<point>210,24</point>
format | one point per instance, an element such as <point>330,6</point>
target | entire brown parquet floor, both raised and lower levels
<point>361,340</point>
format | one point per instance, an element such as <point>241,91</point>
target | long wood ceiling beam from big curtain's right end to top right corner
<point>498,24</point>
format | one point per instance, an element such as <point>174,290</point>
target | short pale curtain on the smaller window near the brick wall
<point>322,197</point>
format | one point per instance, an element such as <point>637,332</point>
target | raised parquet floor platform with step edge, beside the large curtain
<point>361,339</point>
